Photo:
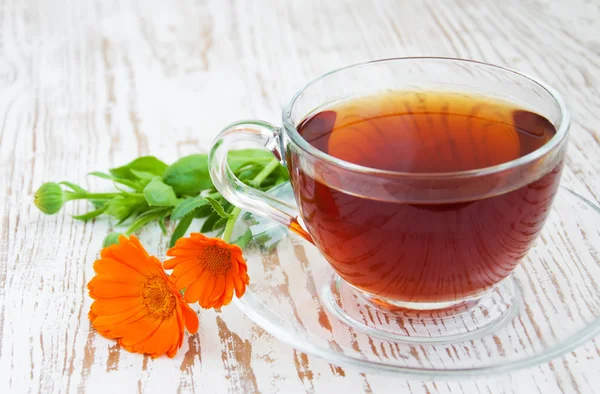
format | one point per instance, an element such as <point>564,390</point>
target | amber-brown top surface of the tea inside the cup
<point>426,132</point>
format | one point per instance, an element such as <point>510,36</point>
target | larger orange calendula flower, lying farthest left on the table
<point>136,303</point>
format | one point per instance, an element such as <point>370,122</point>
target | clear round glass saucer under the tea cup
<point>554,308</point>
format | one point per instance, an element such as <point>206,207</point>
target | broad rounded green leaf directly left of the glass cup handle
<point>189,175</point>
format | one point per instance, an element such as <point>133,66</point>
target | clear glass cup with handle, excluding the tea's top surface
<point>429,262</point>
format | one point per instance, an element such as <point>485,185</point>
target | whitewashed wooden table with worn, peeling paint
<point>89,84</point>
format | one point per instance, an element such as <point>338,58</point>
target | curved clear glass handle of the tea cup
<point>237,192</point>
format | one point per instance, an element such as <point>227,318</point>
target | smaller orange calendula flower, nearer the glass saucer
<point>209,269</point>
